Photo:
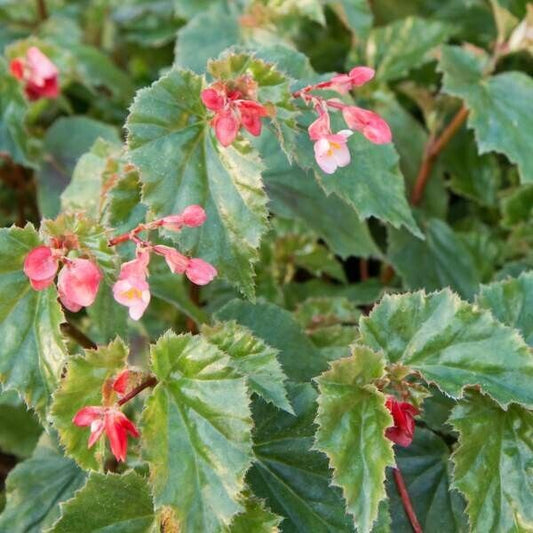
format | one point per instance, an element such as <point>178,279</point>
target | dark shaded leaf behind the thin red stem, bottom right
<point>426,471</point>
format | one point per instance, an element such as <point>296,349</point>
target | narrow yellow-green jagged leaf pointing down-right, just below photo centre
<point>253,359</point>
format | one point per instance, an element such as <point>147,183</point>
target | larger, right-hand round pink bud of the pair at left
<point>78,283</point>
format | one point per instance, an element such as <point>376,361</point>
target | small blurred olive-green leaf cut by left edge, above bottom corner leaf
<point>19,428</point>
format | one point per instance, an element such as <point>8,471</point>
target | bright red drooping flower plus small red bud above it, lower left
<point>109,419</point>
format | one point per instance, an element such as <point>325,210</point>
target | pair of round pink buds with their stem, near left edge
<point>78,280</point>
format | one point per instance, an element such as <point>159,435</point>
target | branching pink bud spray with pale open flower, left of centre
<point>132,289</point>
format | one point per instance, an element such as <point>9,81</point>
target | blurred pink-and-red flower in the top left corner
<point>38,73</point>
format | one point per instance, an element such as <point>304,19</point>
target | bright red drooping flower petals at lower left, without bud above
<point>111,420</point>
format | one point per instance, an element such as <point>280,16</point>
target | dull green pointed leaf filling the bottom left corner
<point>37,486</point>
